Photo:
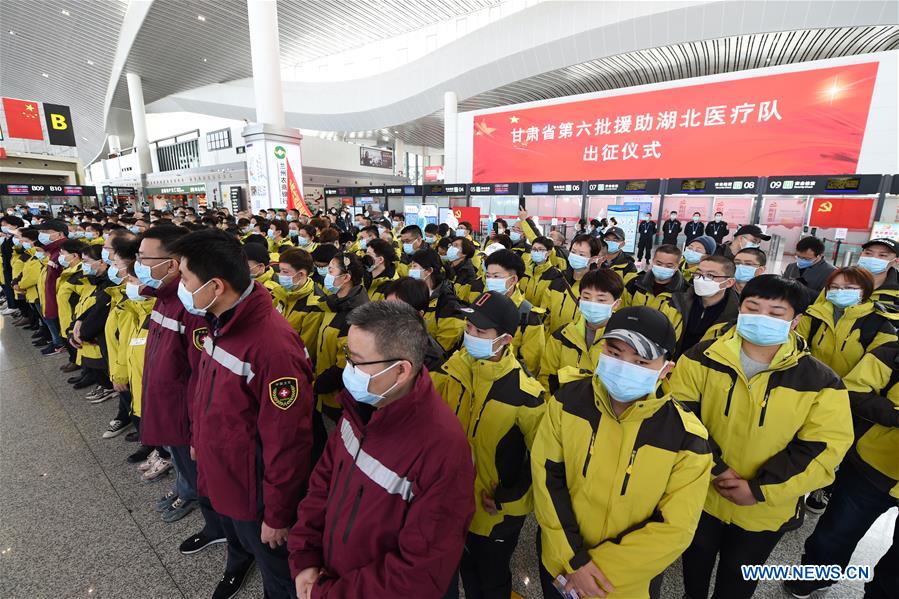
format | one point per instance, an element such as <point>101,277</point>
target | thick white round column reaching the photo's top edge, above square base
<point>266,55</point>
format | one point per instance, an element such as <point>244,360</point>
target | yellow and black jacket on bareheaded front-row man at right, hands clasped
<point>785,430</point>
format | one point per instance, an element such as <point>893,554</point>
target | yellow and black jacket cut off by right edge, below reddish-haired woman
<point>874,396</point>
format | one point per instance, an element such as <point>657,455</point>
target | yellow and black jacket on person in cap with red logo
<point>500,406</point>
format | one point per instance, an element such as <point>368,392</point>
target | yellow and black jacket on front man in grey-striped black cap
<point>624,492</point>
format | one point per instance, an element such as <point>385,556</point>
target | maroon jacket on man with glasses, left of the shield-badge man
<point>167,370</point>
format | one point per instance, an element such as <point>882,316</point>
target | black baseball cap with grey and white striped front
<point>645,329</point>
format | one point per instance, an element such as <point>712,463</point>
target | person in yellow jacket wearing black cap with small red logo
<point>500,406</point>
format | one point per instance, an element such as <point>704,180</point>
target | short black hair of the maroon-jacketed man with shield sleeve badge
<point>212,253</point>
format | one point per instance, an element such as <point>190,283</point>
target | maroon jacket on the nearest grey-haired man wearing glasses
<point>389,502</point>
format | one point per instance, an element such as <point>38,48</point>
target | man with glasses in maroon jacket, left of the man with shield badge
<point>165,419</point>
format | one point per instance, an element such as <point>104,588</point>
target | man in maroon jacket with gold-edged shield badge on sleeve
<point>252,410</point>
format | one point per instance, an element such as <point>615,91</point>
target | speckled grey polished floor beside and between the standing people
<point>76,521</point>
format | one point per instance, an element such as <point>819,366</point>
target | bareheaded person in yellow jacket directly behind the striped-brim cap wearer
<point>577,344</point>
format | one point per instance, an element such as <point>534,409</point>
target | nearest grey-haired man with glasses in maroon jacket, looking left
<point>390,500</point>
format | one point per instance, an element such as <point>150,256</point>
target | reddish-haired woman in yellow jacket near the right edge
<point>844,323</point>
